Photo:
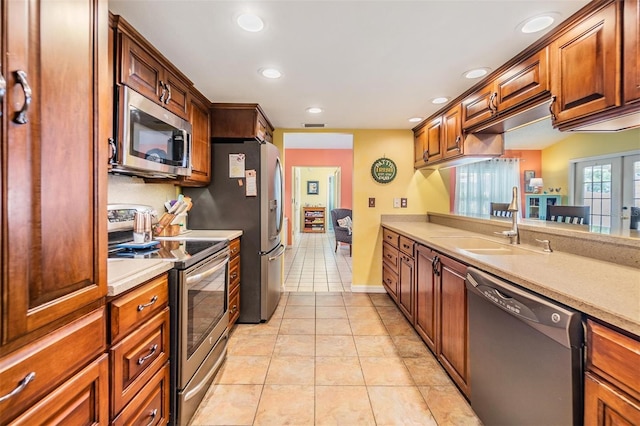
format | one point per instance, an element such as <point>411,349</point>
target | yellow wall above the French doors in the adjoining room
<point>555,158</point>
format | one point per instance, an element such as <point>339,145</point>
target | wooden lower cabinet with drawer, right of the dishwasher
<point>612,380</point>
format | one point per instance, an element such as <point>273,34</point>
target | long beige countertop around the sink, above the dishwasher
<point>603,290</point>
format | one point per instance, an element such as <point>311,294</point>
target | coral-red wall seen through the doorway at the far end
<point>342,158</point>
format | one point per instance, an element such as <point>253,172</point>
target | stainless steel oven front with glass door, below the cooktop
<point>198,299</point>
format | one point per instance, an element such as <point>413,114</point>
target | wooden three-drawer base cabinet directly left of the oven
<point>139,354</point>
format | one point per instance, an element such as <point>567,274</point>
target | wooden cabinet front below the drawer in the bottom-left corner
<point>81,400</point>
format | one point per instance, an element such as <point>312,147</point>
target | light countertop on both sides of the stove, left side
<point>125,274</point>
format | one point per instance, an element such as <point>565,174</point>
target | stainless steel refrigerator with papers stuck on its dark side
<point>235,201</point>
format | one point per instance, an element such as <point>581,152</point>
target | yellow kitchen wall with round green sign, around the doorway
<point>423,190</point>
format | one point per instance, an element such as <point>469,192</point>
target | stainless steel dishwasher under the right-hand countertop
<point>525,355</point>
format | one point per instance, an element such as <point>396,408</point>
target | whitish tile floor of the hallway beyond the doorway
<point>312,265</point>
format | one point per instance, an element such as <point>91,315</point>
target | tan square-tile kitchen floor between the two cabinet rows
<point>332,358</point>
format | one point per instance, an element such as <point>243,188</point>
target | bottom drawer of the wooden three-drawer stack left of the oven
<point>151,405</point>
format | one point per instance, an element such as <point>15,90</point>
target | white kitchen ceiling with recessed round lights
<point>368,64</point>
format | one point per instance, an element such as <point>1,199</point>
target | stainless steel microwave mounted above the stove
<point>152,141</point>
